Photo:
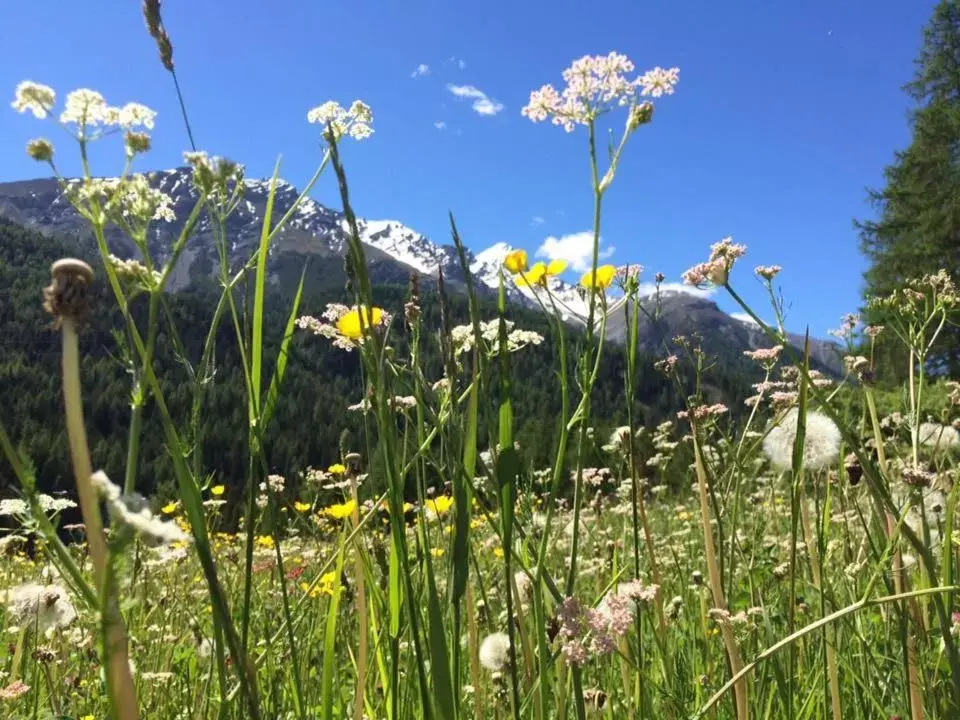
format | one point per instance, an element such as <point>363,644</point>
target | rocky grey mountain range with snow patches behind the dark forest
<point>393,251</point>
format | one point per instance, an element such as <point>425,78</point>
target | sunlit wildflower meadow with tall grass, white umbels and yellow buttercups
<point>793,560</point>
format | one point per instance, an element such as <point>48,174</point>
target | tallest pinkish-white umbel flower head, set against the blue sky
<point>595,85</point>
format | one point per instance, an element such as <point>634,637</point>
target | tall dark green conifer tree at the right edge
<point>918,230</point>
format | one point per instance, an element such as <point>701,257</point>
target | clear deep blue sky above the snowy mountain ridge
<point>785,113</point>
